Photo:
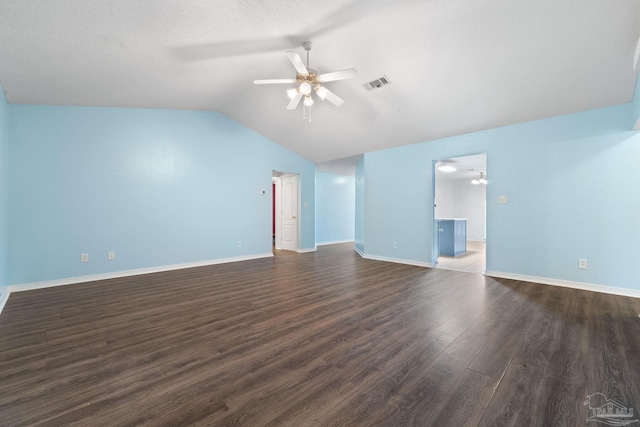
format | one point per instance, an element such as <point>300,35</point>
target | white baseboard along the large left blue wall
<point>126,273</point>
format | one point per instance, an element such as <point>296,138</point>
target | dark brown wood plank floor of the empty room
<point>317,339</point>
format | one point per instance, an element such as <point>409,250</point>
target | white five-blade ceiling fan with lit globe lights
<point>309,81</point>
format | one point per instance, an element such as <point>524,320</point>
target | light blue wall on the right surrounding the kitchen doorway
<point>571,184</point>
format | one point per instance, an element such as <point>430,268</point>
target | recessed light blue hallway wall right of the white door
<point>335,207</point>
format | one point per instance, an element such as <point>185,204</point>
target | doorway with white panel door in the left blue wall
<point>285,211</point>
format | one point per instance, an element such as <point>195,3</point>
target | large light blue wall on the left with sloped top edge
<point>158,187</point>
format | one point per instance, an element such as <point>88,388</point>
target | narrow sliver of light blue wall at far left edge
<point>4,197</point>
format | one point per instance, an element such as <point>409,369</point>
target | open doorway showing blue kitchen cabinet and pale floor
<point>460,213</point>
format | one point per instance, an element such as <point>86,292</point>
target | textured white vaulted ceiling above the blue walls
<point>456,66</point>
